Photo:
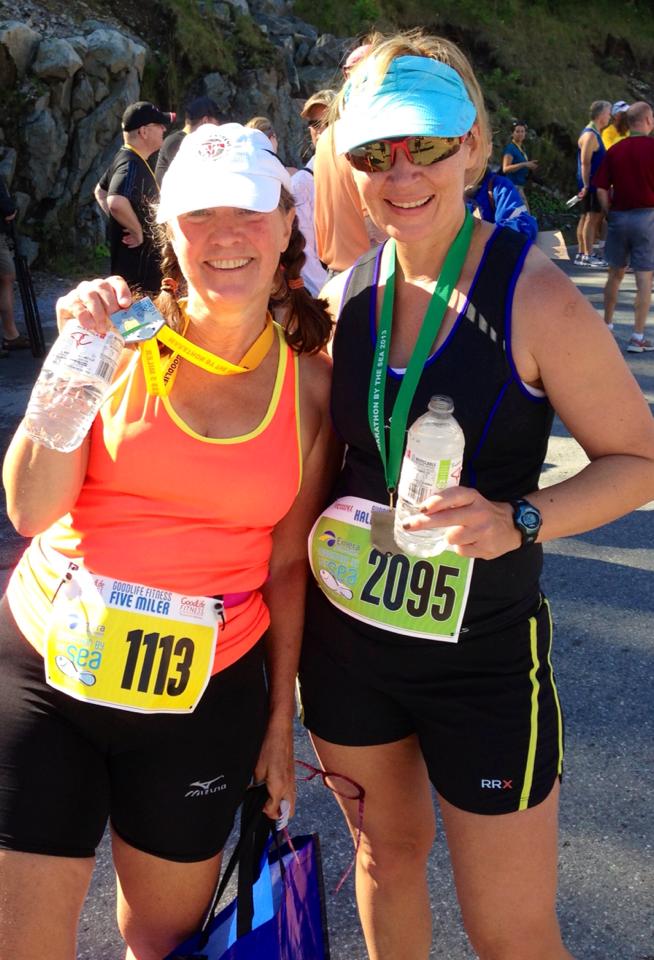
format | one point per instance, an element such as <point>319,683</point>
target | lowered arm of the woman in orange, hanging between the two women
<point>285,588</point>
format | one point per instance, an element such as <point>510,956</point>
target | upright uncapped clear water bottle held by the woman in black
<point>432,462</point>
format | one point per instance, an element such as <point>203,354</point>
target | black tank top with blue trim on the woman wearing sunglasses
<point>506,427</point>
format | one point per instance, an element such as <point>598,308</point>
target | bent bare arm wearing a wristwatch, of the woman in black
<point>561,344</point>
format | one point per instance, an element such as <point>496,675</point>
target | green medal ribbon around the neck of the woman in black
<point>431,324</point>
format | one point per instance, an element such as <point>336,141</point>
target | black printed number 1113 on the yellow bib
<point>173,669</point>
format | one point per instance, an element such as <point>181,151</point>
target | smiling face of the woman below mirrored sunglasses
<point>409,202</point>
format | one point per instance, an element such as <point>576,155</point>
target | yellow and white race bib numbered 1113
<point>121,644</point>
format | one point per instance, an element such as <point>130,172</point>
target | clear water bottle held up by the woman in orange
<point>73,382</point>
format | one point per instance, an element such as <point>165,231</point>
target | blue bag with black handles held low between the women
<point>278,913</point>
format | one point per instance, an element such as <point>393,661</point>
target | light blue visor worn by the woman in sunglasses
<point>418,97</point>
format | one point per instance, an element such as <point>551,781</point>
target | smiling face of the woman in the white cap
<point>229,256</point>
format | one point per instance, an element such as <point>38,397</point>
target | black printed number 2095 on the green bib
<point>419,588</point>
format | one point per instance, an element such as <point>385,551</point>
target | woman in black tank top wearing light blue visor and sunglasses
<point>516,343</point>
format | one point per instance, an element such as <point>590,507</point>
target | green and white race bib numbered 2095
<point>415,597</point>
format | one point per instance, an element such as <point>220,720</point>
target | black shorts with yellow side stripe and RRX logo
<point>485,710</point>
